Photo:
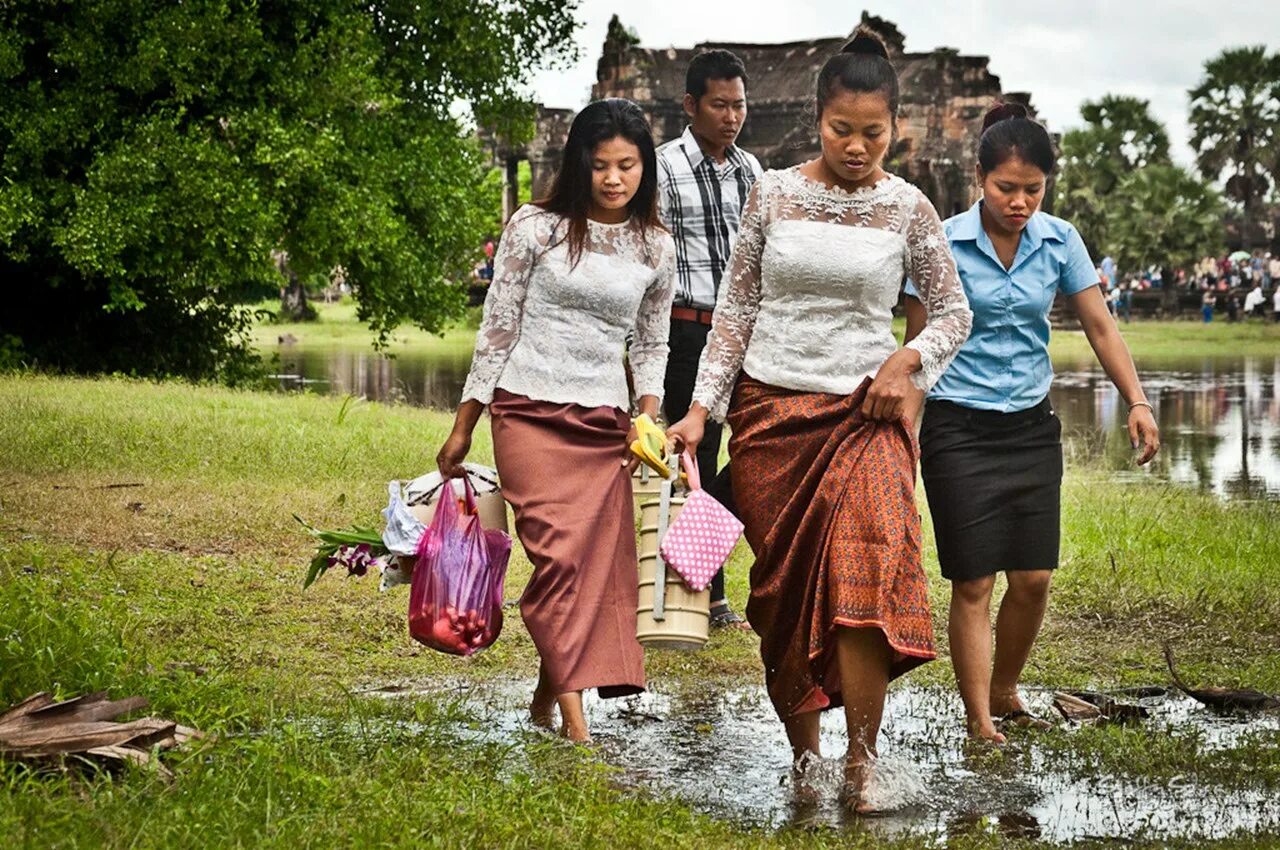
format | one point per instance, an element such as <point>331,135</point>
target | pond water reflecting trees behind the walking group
<point>1219,417</point>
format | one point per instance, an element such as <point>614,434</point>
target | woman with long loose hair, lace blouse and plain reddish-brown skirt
<point>575,276</point>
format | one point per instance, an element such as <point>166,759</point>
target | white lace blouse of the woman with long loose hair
<point>556,332</point>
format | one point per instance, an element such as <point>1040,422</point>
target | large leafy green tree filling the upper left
<point>156,156</point>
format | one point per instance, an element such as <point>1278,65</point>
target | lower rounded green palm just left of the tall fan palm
<point>1164,216</point>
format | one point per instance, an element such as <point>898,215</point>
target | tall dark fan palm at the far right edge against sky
<point>1236,126</point>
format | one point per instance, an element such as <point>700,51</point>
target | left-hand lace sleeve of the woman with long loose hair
<point>504,307</point>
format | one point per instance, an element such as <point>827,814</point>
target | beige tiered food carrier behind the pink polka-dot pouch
<point>671,616</point>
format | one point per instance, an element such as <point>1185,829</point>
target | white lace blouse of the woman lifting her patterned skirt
<point>810,291</point>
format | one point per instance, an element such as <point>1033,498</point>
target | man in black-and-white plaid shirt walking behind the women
<point>703,180</point>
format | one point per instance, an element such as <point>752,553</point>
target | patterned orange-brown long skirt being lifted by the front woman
<point>829,502</point>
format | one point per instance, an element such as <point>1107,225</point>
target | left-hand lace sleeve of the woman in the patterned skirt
<point>737,308</point>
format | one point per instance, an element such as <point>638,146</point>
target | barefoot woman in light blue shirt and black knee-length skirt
<point>991,453</point>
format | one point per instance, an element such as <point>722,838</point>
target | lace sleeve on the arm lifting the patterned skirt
<point>934,272</point>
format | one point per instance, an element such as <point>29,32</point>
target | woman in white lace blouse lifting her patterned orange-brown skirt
<point>821,401</point>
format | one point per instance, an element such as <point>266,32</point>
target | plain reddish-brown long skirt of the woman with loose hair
<point>561,470</point>
